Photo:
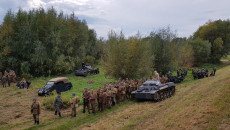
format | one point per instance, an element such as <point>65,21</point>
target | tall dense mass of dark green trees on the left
<point>39,42</point>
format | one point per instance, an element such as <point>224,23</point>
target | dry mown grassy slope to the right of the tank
<point>200,104</point>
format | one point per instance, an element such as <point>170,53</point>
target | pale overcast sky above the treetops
<point>131,16</point>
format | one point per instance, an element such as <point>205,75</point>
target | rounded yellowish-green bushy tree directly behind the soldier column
<point>126,58</point>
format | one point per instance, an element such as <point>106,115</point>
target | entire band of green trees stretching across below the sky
<point>42,43</point>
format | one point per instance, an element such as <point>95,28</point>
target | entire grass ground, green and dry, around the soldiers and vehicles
<point>199,104</point>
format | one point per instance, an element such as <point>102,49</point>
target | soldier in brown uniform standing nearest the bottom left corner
<point>35,110</point>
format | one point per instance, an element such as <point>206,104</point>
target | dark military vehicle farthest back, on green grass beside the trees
<point>87,70</point>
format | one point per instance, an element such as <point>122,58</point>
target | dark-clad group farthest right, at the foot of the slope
<point>201,73</point>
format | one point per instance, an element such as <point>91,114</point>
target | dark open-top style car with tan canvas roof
<point>59,84</point>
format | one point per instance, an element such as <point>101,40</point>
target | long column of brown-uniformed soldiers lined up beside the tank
<point>110,94</point>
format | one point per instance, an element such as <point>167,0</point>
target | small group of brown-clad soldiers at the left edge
<point>7,77</point>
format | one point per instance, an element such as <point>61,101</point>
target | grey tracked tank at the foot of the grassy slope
<point>154,90</point>
